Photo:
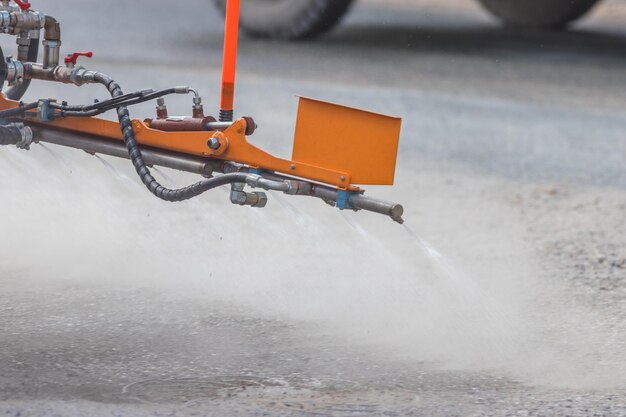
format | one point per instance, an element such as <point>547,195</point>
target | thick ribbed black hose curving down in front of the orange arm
<point>149,181</point>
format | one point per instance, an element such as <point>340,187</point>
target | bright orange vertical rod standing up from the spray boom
<point>229,64</point>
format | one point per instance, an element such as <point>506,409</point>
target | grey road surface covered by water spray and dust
<point>505,294</point>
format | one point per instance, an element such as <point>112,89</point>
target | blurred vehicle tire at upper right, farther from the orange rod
<point>538,13</point>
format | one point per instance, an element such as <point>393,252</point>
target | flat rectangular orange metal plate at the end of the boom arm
<point>345,139</point>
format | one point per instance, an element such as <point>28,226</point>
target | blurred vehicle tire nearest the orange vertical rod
<point>289,19</point>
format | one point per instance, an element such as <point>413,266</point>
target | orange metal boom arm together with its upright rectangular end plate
<point>334,145</point>
